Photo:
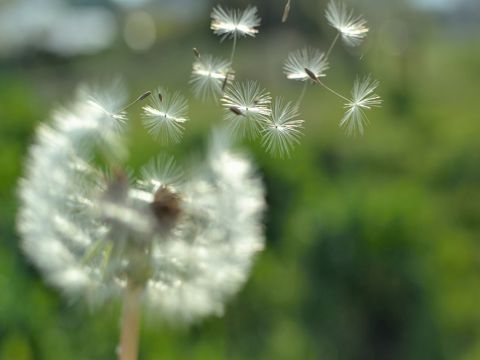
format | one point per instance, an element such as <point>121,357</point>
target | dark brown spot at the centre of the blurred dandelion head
<point>166,208</point>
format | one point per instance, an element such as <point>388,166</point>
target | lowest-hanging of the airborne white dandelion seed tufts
<point>283,129</point>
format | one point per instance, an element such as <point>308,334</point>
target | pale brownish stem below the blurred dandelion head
<point>130,323</point>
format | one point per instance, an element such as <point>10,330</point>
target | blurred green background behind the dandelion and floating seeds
<point>373,243</point>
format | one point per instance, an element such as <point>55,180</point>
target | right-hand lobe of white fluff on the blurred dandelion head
<point>208,256</point>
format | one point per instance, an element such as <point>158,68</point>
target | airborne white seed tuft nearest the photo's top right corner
<point>353,29</point>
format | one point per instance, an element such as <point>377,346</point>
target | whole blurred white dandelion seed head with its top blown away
<point>91,233</point>
